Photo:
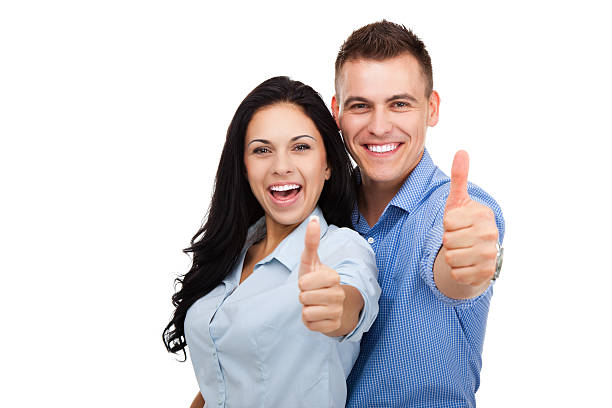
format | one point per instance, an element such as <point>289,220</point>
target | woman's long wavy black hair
<point>218,244</point>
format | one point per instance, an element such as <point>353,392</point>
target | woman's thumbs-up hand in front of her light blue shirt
<point>321,294</point>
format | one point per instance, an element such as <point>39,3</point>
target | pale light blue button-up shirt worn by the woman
<point>247,342</point>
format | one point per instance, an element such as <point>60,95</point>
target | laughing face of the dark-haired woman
<point>285,162</point>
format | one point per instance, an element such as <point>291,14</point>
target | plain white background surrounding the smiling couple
<point>112,118</point>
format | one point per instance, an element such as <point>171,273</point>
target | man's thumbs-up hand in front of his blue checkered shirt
<point>470,234</point>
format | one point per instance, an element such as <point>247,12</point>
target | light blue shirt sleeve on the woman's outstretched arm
<point>354,260</point>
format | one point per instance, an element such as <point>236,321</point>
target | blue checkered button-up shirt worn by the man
<point>424,349</point>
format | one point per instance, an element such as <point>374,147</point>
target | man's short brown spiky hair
<point>383,40</point>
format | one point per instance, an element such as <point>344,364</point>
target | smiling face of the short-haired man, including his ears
<point>383,112</point>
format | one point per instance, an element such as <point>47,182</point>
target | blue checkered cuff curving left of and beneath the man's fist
<point>433,243</point>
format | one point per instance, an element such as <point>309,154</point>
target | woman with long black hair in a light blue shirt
<point>264,328</point>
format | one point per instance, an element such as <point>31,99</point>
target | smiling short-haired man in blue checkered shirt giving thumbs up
<point>436,238</point>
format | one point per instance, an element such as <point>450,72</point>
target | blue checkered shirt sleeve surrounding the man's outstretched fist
<point>433,243</point>
